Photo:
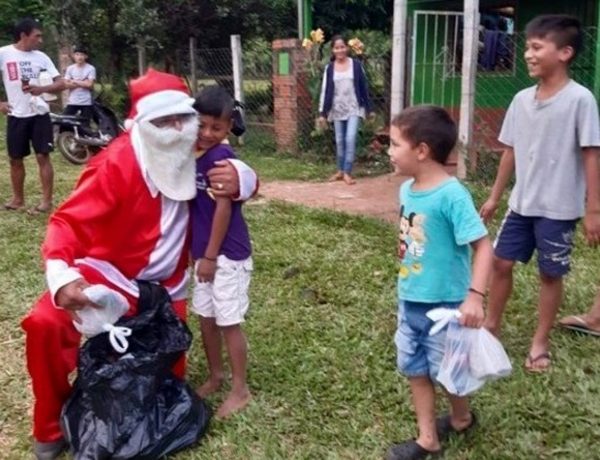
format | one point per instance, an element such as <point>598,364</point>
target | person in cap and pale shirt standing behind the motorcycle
<point>79,80</point>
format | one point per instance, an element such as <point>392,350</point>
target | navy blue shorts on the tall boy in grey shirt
<point>520,235</point>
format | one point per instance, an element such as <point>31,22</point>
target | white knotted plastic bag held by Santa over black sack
<point>95,321</point>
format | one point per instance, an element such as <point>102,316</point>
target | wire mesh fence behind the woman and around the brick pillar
<point>214,66</point>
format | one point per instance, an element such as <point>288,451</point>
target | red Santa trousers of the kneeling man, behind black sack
<point>52,347</point>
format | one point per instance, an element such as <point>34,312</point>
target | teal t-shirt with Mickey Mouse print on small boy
<point>436,229</point>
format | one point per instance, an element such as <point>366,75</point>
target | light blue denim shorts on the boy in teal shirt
<point>419,354</point>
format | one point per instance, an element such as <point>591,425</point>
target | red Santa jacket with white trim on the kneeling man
<point>113,223</point>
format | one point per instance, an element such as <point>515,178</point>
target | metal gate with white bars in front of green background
<point>436,59</point>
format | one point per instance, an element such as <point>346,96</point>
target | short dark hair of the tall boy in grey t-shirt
<point>562,29</point>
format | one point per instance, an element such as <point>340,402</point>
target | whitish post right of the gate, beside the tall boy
<point>467,97</point>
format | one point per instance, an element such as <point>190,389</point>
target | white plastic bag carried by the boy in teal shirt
<point>471,356</point>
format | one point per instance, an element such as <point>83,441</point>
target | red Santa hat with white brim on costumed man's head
<point>158,94</point>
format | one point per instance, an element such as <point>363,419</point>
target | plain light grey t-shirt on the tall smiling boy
<point>547,137</point>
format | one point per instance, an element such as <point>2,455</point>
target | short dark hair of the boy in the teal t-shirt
<point>430,125</point>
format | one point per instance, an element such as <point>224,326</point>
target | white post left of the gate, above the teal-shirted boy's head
<point>398,57</point>
